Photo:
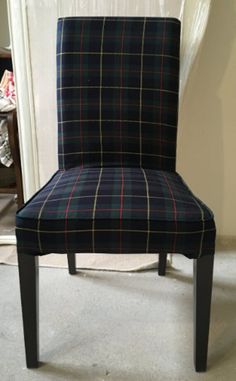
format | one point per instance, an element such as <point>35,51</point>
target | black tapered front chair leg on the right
<point>203,273</point>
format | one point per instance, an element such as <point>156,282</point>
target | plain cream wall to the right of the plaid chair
<point>207,126</point>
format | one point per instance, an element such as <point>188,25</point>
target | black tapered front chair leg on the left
<point>28,274</point>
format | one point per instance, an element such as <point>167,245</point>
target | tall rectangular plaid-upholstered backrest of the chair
<point>117,91</point>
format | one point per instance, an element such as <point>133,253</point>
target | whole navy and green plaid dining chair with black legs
<point>116,190</point>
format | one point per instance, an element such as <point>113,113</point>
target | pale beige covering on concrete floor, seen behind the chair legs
<point>114,262</point>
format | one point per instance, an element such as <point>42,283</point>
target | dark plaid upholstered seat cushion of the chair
<point>115,210</point>
